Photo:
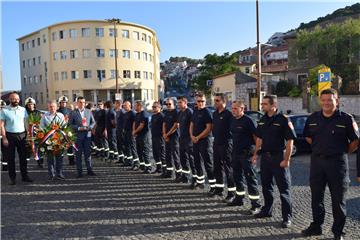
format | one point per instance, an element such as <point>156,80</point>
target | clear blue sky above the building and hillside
<point>191,29</point>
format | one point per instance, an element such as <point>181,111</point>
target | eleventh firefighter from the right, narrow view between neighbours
<point>119,131</point>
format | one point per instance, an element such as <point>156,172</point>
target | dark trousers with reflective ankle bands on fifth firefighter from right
<point>203,152</point>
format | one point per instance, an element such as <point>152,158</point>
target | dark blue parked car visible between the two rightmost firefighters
<point>300,144</point>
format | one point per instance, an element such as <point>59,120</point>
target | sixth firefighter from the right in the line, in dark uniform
<point>186,145</point>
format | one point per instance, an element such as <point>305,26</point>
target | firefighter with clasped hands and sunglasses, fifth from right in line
<point>200,131</point>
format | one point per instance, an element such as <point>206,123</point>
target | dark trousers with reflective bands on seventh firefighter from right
<point>172,154</point>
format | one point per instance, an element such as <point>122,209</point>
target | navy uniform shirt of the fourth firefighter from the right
<point>221,126</point>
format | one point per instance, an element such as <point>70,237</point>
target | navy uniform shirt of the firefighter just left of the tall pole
<point>242,130</point>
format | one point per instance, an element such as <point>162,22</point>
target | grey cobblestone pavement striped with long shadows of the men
<point>122,204</point>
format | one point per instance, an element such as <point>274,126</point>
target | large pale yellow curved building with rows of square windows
<point>78,58</point>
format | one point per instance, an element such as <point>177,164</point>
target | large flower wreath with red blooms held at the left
<point>53,138</point>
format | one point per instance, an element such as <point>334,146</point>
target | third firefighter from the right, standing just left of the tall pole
<point>243,133</point>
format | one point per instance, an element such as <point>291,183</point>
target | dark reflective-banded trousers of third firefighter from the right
<point>244,172</point>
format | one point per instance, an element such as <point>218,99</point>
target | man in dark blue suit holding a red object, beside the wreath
<point>82,122</point>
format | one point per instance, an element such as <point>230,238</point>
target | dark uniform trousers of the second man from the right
<point>270,168</point>
